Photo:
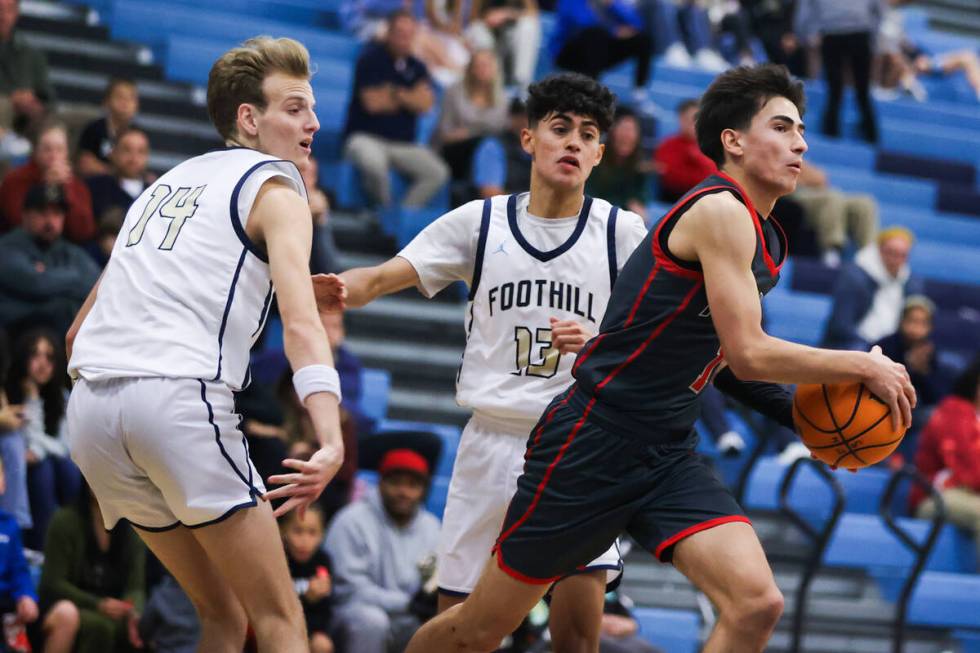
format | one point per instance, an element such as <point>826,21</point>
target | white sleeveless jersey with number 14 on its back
<point>185,292</point>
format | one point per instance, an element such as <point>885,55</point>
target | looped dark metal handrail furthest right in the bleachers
<point>921,551</point>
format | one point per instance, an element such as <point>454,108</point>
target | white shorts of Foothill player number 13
<point>488,463</point>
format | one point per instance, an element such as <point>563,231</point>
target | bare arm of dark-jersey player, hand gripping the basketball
<point>719,232</point>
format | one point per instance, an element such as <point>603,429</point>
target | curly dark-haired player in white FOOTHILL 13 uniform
<point>540,267</point>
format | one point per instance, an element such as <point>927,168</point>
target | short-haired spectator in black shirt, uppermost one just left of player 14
<point>95,145</point>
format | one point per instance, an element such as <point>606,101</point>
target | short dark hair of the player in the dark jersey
<point>736,96</point>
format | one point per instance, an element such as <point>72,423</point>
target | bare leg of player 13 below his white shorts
<point>576,605</point>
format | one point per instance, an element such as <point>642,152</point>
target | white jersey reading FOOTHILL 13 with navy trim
<point>522,270</point>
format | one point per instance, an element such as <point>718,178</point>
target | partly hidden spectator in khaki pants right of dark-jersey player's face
<point>833,214</point>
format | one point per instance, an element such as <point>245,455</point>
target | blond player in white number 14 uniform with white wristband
<point>164,337</point>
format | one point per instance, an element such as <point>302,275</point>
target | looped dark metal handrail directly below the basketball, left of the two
<point>820,538</point>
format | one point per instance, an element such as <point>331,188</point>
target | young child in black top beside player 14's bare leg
<point>309,566</point>
